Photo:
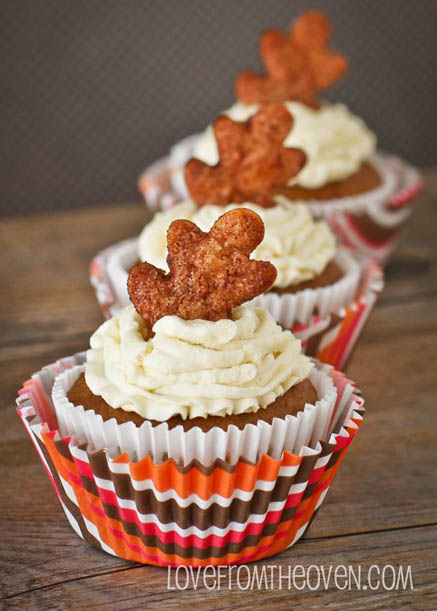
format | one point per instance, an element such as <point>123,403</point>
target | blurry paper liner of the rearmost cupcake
<point>367,223</point>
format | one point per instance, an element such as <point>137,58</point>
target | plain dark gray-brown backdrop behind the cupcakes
<point>94,90</point>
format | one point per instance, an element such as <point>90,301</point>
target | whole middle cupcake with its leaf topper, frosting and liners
<point>316,283</point>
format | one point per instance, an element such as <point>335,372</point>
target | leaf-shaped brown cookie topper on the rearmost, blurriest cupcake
<point>298,64</point>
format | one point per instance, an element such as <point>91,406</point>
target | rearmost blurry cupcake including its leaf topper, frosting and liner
<point>362,193</point>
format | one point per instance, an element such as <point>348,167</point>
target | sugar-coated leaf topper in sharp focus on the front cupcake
<point>210,273</point>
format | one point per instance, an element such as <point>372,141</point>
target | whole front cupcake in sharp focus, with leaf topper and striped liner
<point>194,431</point>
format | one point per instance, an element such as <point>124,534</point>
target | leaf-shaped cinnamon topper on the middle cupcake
<point>252,161</point>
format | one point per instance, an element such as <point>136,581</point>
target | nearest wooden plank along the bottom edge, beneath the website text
<point>133,587</point>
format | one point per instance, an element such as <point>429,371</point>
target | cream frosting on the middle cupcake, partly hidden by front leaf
<point>299,247</point>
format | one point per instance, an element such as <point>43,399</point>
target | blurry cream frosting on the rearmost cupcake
<point>335,141</point>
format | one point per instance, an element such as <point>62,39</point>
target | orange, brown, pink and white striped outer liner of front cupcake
<point>194,514</point>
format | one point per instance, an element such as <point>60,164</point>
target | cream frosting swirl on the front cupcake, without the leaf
<point>195,367</point>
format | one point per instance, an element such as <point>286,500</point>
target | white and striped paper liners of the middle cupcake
<point>327,320</point>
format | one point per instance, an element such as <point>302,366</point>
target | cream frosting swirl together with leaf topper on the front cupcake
<point>189,347</point>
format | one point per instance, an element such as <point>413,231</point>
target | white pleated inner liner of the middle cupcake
<point>287,309</point>
